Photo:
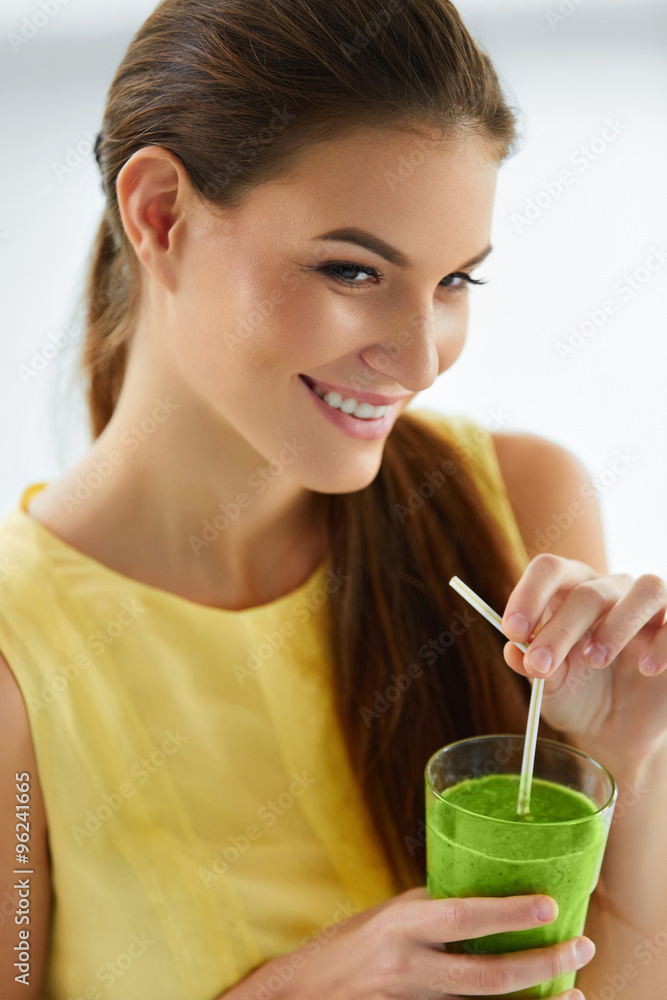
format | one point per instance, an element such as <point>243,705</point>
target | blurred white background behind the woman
<point>568,339</point>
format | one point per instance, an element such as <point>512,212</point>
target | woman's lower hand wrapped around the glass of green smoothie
<point>394,951</point>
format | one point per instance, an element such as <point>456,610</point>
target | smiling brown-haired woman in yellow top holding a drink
<point>208,621</point>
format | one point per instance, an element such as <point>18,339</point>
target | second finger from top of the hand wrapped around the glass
<point>491,975</point>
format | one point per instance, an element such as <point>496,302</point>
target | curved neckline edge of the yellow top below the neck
<point>59,543</point>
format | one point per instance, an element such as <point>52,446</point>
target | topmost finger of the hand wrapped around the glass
<point>437,921</point>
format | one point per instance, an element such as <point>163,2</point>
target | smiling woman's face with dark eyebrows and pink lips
<point>265,309</point>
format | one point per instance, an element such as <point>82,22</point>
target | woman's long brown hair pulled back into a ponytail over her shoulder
<point>325,68</point>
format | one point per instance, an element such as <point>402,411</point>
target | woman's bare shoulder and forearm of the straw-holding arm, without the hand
<point>549,488</point>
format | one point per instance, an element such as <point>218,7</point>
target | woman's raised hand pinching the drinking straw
<point>617,702</point>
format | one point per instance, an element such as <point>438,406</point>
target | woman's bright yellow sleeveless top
<point>201,814</point>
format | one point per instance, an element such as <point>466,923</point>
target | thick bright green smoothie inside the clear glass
<point>477,845</point>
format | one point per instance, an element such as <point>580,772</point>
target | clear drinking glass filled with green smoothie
<point>469,854</point>
